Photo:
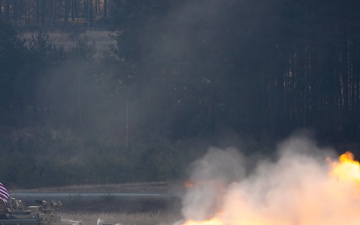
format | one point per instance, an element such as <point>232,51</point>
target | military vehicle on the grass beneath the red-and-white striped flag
<point>40,214</point>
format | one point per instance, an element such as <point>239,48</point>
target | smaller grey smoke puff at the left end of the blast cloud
<point>210,174</point>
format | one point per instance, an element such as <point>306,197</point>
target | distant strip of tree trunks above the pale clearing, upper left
<point>54,13</point>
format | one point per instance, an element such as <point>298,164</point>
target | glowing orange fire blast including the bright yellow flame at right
<point>296,190</point>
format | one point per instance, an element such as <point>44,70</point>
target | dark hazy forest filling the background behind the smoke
<point>181,74</point>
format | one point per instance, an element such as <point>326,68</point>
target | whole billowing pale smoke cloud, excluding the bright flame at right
<point>295,188</point>
